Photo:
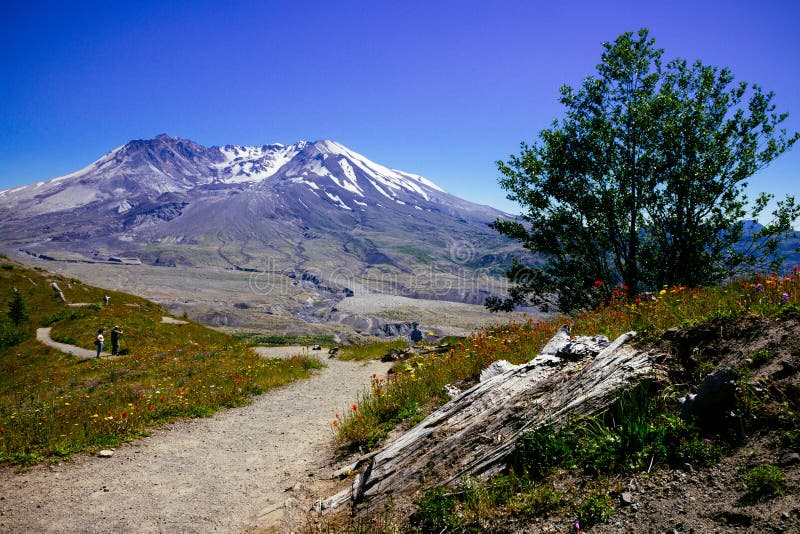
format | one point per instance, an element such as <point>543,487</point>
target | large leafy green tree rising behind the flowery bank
<point>642,182</point>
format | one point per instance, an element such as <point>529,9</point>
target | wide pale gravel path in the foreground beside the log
<point>238,469</point>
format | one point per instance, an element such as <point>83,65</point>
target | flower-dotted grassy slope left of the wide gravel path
<point>53,404</point>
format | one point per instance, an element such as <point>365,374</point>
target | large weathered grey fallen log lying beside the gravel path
<point>473,434</point>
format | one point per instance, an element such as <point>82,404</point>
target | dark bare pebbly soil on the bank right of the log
<point>712,499</point>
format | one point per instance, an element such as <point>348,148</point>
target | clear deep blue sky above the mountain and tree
<point>442,89</point>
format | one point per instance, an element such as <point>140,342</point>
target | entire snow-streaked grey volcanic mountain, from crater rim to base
<point>172,201</point>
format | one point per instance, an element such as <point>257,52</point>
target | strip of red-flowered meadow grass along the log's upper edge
<point>416,384</point>
